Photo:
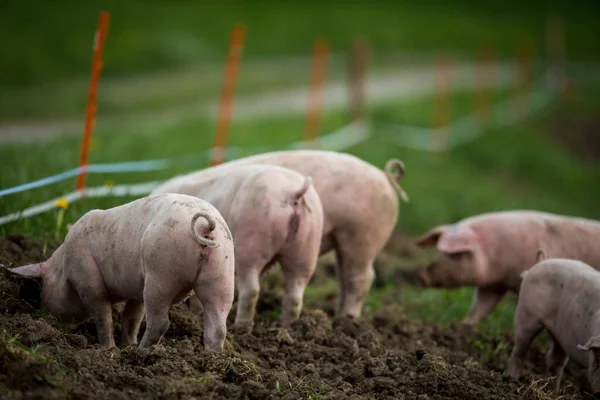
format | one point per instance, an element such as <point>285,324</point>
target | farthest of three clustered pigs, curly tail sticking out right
<point>360,207</point>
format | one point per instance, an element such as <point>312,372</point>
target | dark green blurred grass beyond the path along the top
<point>43,41</point>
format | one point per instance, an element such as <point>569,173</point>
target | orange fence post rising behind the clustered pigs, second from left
<point>236,47</point>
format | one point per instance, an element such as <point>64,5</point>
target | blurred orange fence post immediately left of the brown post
<point>317,84</point>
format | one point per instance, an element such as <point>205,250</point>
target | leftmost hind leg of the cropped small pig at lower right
<point>527,327</point>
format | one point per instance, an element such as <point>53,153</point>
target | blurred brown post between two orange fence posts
<point>358,61</point>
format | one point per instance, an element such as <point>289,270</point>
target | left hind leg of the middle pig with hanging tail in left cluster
<point>248,291</point>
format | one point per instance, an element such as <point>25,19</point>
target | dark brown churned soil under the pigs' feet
<point>379,356</point>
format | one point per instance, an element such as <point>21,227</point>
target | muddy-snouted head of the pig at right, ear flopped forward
<point>461,260</point>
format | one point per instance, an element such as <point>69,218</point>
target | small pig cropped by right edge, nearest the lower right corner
<point>563,296</point>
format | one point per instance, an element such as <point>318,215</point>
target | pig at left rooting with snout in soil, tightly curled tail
<point>152,252</point>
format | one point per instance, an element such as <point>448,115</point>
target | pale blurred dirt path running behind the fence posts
<point>383,87</point>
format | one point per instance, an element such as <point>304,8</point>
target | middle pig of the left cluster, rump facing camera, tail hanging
<point>275,216</point>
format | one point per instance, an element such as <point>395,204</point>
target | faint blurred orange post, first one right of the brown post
<point>442,108</point>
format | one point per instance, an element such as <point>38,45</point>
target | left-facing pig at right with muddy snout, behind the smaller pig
<point>491,250</point>
